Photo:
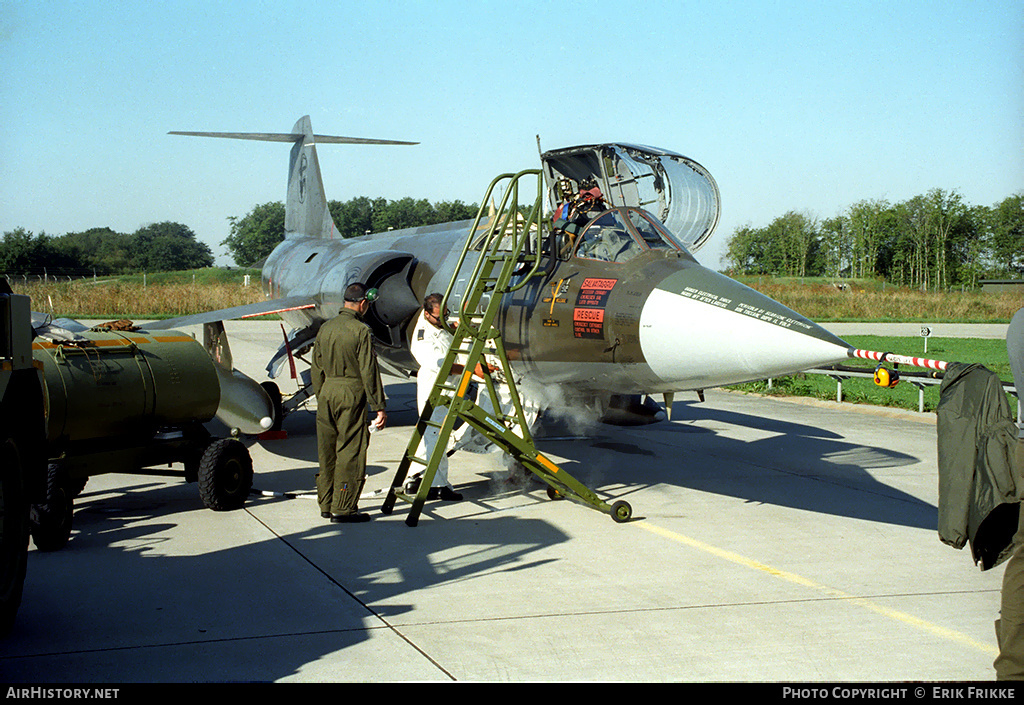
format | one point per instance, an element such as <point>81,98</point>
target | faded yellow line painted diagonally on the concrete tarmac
<point>895,615</point>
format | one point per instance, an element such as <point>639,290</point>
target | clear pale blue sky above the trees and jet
<point>792,106</point>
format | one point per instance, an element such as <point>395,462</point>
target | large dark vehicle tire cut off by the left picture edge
<point>15,528</point>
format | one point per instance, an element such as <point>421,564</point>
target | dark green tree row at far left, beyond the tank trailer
<point>158,247</point>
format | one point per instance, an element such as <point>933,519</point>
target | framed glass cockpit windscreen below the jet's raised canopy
<point>619,235</point>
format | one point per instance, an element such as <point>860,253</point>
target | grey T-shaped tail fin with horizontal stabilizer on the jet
<point>307,215</point>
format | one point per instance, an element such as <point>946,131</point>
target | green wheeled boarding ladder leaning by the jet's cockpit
<point>509,256</point>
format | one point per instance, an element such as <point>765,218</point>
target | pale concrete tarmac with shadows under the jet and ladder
<point>773,542</point>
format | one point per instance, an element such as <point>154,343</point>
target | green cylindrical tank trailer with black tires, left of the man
<point>126,401</point>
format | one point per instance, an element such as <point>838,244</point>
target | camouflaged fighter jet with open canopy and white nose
<point>621,308</point>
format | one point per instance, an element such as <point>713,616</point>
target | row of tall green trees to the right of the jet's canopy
<point>933,242</point>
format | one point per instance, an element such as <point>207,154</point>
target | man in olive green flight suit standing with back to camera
<point>347,381</point>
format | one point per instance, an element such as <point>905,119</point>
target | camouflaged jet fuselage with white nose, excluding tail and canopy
<point>659,322</point>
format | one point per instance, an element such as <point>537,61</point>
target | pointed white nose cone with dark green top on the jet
<point>701,329</point>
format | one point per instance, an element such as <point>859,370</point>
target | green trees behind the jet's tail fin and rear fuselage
<point>254,236</point>
